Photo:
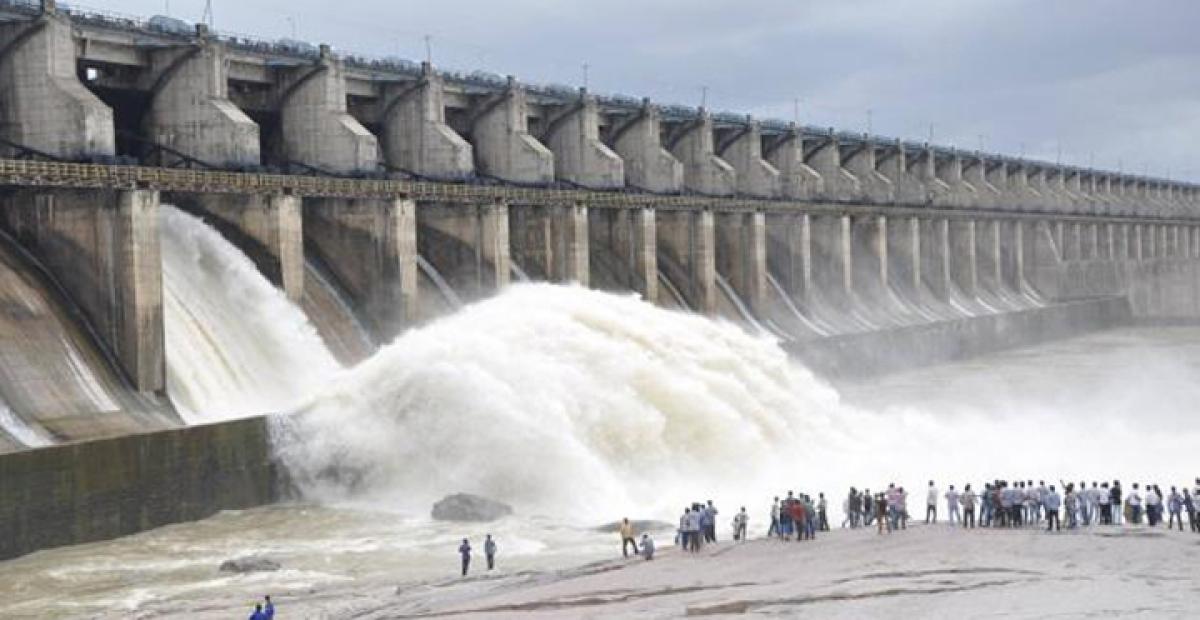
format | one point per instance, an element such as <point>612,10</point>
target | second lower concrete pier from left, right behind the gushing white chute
<point>268,228</point>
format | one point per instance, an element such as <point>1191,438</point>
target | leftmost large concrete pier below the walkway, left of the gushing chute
<point>104,249</point>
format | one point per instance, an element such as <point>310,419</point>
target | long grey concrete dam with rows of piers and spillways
<point>381,195</point>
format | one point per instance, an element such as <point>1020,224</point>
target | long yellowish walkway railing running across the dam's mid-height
<point>28,173</point>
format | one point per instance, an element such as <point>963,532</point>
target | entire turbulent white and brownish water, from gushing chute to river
<point>578,408</point>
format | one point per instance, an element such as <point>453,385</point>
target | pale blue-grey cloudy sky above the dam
<point>1117,82</point>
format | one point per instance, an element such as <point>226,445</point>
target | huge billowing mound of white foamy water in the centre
<point>548,396</point>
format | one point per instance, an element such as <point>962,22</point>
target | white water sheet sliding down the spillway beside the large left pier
<point>236,345</point>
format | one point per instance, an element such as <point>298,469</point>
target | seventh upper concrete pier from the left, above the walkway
<point>649,166</point>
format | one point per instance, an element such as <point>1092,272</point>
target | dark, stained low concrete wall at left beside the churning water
<point>101,490</point>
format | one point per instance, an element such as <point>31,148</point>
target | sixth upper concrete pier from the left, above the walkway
<point>580,158</point>
